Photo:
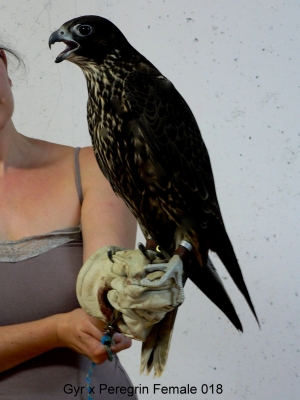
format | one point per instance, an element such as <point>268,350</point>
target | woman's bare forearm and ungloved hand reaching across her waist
<point>75,330</point>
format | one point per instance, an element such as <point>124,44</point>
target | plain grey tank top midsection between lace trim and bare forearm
<point>40,286</point>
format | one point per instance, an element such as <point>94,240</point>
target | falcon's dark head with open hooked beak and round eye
<point>88,38</point>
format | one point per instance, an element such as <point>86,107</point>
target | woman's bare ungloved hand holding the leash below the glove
<point>82,333</point>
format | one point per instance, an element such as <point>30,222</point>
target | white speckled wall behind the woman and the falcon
<point>237,65</point>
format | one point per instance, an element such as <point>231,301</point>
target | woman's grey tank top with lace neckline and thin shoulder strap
<point>37,279</point>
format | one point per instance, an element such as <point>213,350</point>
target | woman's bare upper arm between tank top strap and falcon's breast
<point>105,219</point>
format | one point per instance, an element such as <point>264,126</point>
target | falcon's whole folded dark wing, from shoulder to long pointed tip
<point>171,132</point>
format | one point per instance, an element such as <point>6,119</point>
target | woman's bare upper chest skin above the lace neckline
<point>37,201</point>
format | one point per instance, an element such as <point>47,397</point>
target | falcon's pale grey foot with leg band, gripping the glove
<point>173,269</point>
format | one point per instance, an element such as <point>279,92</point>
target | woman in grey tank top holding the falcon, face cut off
<point>55,213</point>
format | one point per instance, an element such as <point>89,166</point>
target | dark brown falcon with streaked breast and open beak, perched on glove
<point>148,145</point>
